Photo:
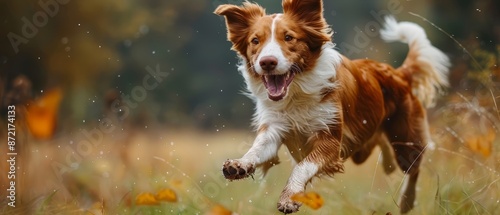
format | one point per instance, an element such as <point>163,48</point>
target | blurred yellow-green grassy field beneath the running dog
<point>107,174</point>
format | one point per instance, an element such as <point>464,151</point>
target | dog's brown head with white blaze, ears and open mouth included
<point>277,47</point>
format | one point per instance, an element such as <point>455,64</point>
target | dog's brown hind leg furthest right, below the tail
<point>407,132</point>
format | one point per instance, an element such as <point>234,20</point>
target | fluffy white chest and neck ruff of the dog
<point>301,109</point>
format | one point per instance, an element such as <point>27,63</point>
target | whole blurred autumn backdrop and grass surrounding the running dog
<point>163,76</point>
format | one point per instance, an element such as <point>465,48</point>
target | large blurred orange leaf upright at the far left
<point>41,114</point>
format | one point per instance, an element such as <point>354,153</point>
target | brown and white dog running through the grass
<point>325,107</point>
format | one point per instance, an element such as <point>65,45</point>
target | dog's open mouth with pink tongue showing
<point>277,85</point>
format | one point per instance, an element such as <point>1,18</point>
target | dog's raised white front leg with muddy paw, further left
<point>264,149</point>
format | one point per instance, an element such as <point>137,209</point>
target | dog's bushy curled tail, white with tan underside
<point>427,64</point>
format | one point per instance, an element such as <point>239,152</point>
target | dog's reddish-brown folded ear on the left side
<point>238,22</point>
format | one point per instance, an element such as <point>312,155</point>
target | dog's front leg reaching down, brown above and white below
<point>323,159</point>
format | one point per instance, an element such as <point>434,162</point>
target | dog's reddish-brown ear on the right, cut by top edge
<point>309,15</point>
